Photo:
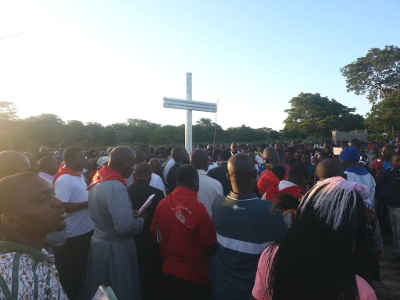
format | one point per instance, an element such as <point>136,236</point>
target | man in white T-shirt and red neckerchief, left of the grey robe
<point>72,257</point>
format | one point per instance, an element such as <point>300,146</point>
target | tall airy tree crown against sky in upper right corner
<point>376,75</point>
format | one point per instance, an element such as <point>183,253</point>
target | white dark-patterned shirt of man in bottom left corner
<point>27,273</point>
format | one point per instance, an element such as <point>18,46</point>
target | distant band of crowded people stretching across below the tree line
<point>308,163</point>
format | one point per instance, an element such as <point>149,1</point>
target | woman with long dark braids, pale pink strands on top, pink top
<point>317,259</point>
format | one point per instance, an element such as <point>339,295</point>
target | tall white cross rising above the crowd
<point>189,105</point>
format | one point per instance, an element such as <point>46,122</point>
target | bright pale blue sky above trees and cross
<point>107,61</point>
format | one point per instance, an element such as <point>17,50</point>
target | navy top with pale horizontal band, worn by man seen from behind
<point>245,226</point>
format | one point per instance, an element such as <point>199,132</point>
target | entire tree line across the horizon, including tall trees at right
<point>311,116</point>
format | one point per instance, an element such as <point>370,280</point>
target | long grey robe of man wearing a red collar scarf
<point>112,257</point>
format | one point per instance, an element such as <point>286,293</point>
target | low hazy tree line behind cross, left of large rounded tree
<point>50,130</point>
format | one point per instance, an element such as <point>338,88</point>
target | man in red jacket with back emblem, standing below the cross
<point>187,239</point>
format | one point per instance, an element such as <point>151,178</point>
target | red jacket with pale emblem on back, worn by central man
<point>185,231</point>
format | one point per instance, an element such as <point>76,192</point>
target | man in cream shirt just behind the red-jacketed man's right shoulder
<point>209,189</point>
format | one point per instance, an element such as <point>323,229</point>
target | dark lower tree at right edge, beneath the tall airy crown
<point>385,115</point>
